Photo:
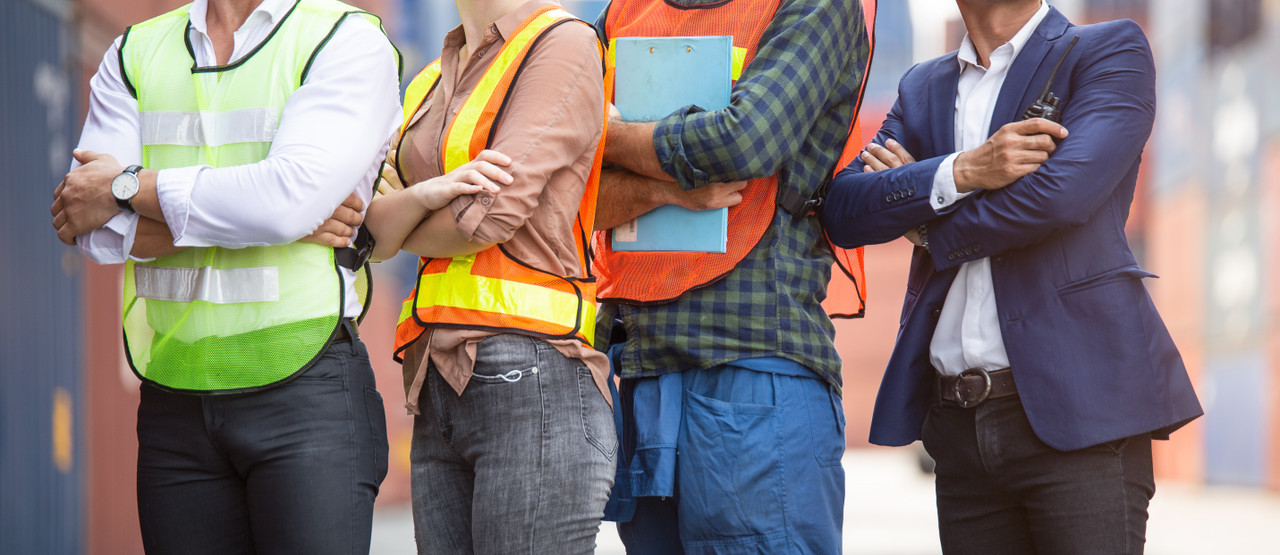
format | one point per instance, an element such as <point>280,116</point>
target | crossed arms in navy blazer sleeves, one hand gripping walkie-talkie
<point>1114,84</point>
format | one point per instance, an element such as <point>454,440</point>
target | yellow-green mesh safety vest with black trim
<point>222,320</point>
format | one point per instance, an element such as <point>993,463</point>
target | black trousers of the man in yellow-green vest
<point>294,469</point>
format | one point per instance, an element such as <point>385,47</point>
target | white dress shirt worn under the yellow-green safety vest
<point>332,140</point>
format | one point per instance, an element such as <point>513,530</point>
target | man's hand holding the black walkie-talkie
<point>1016,150</point>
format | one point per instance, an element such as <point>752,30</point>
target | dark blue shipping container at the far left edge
<point>42,403</point>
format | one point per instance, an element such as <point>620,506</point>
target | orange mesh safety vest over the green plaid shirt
<point>652,278</point>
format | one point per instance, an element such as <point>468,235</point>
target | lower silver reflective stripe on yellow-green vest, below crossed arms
<point>221,287</point>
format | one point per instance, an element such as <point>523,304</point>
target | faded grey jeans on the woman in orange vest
<point>522,462</point>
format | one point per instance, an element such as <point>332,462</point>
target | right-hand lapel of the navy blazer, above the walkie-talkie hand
<point>1030,72</point>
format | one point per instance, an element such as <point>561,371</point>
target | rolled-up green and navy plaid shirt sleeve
<point>806,54</point>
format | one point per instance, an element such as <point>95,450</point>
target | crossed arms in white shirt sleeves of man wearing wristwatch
<point>321,153</point>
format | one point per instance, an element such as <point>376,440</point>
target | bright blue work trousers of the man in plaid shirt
<point>757,469</point>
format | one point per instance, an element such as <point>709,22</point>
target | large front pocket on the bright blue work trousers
<point>730,471</point>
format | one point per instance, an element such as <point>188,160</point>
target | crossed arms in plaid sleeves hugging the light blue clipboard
<point>696,158</point>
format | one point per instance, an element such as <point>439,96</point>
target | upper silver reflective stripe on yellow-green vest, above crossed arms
<point>211,129</point>
